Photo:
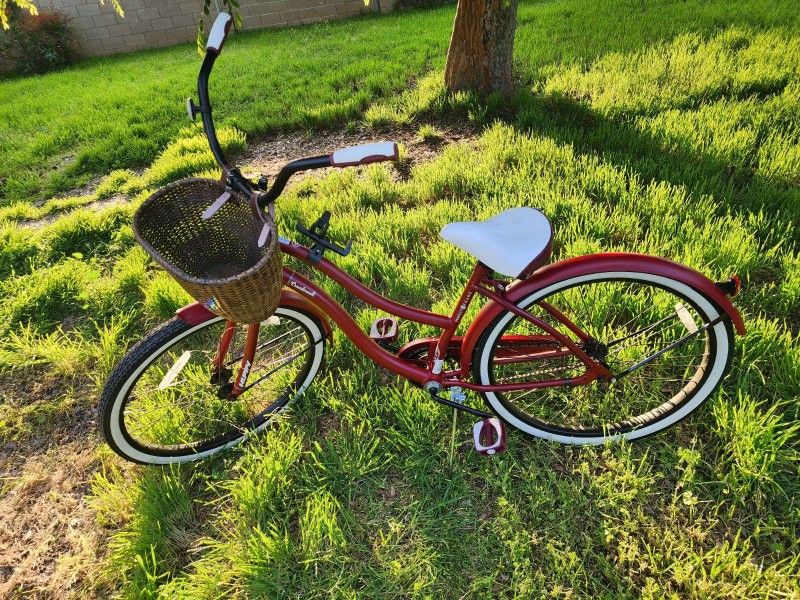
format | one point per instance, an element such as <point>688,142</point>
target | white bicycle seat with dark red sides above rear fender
<point>514,242</point>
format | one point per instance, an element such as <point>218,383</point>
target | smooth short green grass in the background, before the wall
<point>277,79</point>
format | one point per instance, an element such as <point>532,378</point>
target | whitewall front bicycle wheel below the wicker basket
<point>169,400</point>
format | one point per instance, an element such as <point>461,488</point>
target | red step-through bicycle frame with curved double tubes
<point>480,282</point>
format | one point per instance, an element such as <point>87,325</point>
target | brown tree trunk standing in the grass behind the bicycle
<point>482,46</point>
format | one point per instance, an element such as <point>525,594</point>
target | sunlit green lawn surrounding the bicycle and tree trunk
<point>671,128</point>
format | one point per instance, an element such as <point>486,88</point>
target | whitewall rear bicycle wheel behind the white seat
<point>667,345</point>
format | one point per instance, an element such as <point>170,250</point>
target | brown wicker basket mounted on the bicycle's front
<point>218,261</point>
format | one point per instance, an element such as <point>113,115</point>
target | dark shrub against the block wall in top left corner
<point>37,43</point>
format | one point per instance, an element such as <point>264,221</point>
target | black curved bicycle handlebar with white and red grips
<point>345,157</point>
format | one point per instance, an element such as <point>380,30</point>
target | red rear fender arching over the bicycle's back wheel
<point>598,263</point>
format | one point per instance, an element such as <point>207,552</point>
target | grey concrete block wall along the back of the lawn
<point>158,23</point>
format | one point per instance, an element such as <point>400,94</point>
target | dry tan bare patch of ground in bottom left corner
<point>49,540</point>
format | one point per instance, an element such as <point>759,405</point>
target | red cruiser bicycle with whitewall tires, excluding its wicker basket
<point>582,351</point>
